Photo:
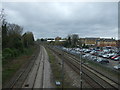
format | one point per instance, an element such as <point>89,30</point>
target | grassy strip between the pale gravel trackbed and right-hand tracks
<point>57,71</point>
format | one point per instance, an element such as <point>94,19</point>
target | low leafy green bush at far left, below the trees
<point>7,53</point>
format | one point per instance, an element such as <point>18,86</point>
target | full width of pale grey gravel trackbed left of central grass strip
<point>40,75</point>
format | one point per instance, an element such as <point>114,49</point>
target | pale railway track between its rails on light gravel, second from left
<point>35,78</point>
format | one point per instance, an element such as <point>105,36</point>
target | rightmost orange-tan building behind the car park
<point>106,42</point>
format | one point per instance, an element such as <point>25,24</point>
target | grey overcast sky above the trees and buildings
<point>46,20</point>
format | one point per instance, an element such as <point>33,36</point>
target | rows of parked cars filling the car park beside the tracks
<point>101,56</point>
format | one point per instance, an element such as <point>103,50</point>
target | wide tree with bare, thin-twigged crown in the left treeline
<point>14,32</point>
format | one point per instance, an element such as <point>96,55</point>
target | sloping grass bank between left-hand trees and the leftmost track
<point>10,68</point>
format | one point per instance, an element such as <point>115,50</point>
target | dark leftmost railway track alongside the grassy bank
<point>23,73</point>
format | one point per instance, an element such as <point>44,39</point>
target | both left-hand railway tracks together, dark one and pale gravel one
<point>28,77</point>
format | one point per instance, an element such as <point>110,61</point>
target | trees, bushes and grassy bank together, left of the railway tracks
<point>17,48</point>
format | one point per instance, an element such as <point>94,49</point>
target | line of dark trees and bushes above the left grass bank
<point>14,42</point>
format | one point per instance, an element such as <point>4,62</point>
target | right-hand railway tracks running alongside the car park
<point>93,77</point>
